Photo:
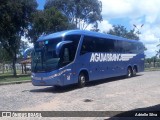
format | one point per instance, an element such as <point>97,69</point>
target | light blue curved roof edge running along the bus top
<point>82,32</point>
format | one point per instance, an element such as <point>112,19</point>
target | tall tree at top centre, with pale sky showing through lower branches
<point>79,12</point>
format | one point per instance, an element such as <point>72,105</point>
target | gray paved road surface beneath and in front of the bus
<point>116,94</point>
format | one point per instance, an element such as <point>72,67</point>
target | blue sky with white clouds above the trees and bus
<point>129,13</point>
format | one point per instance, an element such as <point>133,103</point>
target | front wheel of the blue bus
<point>82,80</point>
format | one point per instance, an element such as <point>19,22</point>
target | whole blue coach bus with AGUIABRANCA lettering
<point>78,56</point>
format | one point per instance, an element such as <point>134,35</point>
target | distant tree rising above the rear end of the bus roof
<point>122,32</point>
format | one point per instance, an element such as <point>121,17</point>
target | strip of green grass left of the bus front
<point>10,78</point>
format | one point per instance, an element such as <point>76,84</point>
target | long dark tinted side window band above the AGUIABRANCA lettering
<point>94,44</point>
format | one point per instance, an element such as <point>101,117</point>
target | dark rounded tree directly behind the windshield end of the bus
<point>47,21</point>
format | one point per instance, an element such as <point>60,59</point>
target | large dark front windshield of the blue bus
<point>44,58</point>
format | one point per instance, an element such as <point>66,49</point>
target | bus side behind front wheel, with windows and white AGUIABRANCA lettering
<point>106,57</point>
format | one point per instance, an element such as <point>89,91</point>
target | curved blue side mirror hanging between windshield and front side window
<point>60,45</point>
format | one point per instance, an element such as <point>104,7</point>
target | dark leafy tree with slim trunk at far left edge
<point>14,17</point>
